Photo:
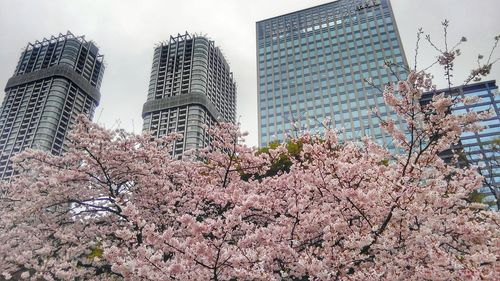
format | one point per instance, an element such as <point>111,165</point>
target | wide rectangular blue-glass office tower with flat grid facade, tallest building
<point>314,65</point>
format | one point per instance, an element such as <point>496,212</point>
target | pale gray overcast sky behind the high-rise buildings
<point>126,32</point>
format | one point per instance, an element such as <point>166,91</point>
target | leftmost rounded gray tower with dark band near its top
<point>55,80</point>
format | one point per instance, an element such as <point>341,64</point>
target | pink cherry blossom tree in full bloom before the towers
<point>117,206</point>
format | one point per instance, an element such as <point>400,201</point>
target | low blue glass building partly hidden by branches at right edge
<point>481,148</point>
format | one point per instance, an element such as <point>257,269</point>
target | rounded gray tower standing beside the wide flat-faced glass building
<point>191,88</point>
